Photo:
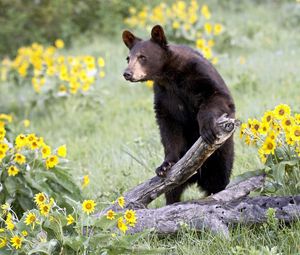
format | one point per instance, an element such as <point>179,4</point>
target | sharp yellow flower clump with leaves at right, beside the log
<point>277,136</point>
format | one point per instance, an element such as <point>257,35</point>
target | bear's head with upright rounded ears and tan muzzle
<point>146,58</point>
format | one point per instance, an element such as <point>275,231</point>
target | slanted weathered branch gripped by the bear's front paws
<point>140,196</point>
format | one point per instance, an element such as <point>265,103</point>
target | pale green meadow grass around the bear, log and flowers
<point>115,138</point>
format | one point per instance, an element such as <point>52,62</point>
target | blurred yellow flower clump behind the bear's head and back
<point>183,21</point>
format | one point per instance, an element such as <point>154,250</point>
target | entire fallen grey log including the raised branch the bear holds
<point>215,212</point>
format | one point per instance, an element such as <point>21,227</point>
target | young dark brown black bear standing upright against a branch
<point>189,95</point>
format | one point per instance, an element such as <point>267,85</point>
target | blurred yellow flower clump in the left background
<point>50,73</point>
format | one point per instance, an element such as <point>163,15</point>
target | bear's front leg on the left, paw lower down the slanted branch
<point>174,144</point>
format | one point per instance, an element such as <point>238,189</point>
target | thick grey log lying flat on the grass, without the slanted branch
<point>216,212</point>
